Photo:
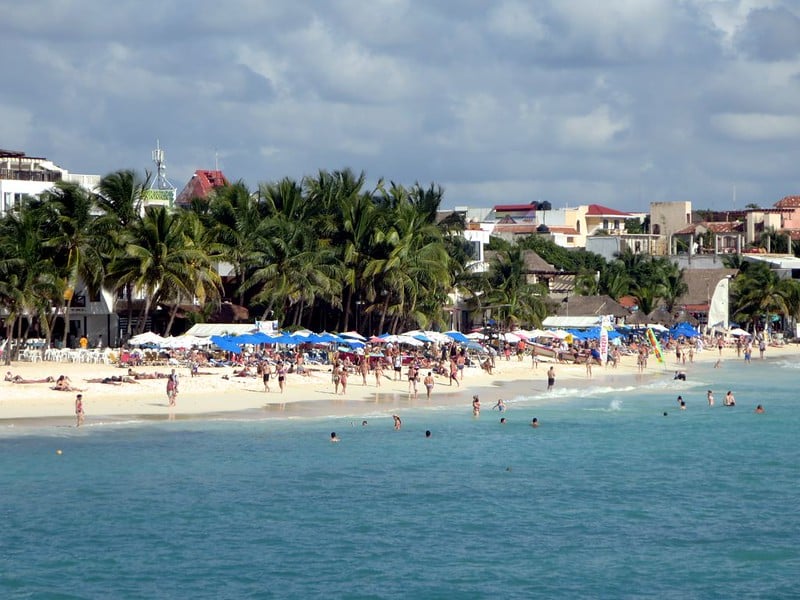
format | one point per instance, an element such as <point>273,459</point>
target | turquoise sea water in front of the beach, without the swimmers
<point>607,499</point>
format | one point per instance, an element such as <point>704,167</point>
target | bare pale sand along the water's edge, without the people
<point>212,397</point>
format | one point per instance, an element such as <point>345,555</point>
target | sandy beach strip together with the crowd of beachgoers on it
<point>279,379</point>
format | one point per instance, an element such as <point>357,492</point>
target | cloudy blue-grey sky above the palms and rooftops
<point>619,102</point>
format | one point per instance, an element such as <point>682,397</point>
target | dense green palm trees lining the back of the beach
<point>326,252</point>
